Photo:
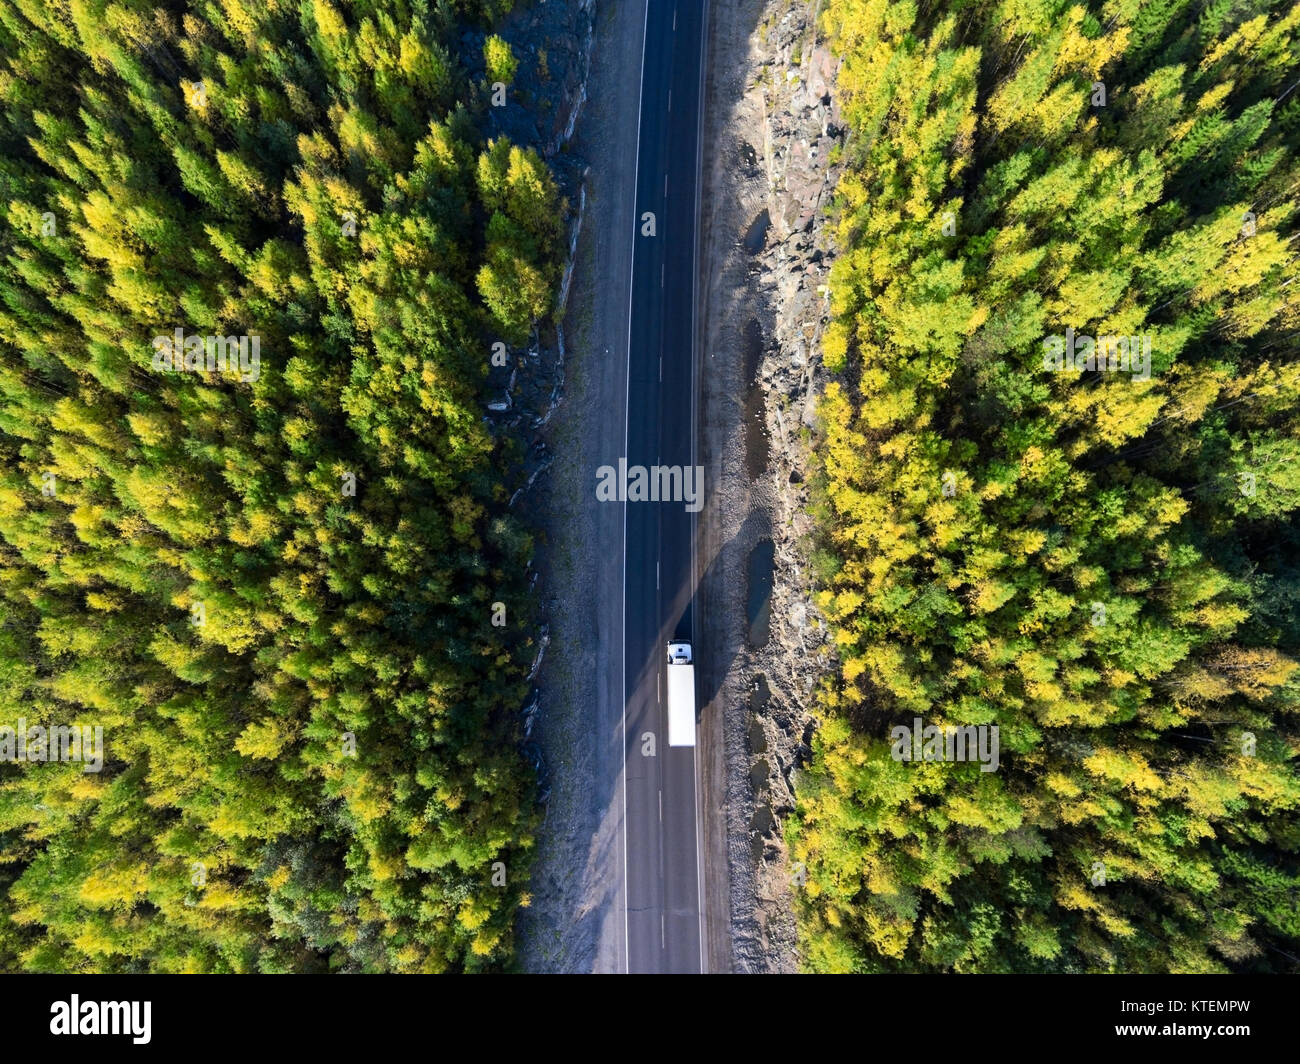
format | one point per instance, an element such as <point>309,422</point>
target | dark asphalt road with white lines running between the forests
<point>661,823</point>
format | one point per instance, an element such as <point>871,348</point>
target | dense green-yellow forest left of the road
<point>278,566</point>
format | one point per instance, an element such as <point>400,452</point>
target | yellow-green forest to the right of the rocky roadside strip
<point>1103,565</point>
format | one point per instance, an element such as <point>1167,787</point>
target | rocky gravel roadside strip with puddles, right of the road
<point>770,128</point>
